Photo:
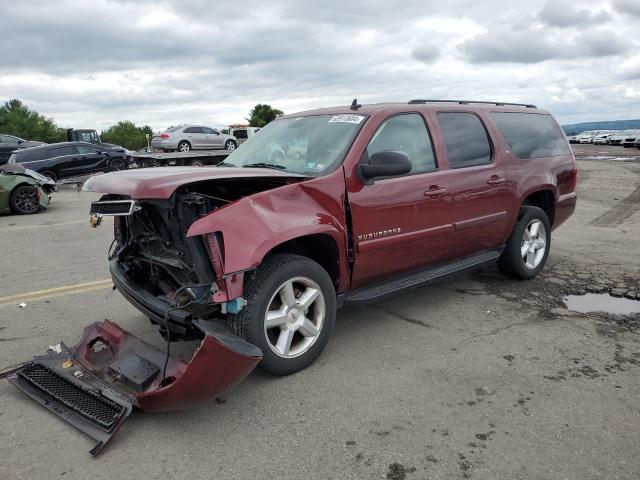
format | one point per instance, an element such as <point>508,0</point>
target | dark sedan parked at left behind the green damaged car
<point>70,159</point>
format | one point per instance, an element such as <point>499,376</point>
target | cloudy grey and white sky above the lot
<point>91,63</point>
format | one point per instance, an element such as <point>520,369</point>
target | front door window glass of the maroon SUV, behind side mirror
<point>406,133</point>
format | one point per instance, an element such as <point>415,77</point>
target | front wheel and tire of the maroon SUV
<point>296,336</point>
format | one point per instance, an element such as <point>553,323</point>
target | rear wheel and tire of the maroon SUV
<point>527,265</point>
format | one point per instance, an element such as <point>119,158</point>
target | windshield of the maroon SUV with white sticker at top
<point>311,146</point>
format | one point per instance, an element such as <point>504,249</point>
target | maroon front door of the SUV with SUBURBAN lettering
<point>401,223</point>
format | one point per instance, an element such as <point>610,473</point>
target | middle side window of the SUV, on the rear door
<point>466,139</point>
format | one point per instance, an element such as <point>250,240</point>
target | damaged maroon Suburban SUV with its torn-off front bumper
<point>320,209</point>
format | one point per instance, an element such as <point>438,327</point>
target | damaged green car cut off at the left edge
<point>23,191</point>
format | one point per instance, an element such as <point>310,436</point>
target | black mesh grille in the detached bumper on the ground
<point>91,405</point>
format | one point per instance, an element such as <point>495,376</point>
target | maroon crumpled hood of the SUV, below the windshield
<point>162,182</point>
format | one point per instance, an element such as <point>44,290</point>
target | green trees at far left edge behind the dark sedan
<point>17,119</point>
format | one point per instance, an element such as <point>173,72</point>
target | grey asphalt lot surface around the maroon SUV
<point>479,377</point>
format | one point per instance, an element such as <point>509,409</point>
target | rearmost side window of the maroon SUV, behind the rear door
<point>531,135</point>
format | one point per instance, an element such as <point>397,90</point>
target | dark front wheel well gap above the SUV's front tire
<point>320,248</point>
